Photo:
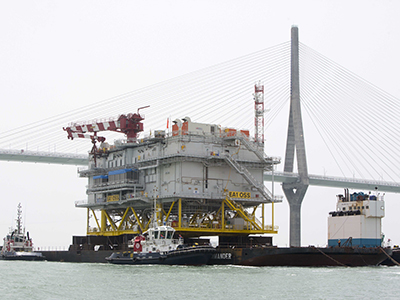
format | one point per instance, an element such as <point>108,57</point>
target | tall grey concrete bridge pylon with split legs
<point>295,191</point>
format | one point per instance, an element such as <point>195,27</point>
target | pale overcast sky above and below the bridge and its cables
<point>61,55</point>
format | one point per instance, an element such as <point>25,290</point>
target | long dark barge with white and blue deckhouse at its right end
<point>354,239</point>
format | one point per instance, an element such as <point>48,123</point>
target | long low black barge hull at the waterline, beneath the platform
<point>266,256</point>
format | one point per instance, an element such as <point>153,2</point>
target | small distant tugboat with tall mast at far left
<point>17,245</point>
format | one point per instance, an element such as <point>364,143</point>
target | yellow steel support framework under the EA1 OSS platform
<point>129,221</point>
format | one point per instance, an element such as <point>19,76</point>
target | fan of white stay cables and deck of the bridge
<point>348,121</point>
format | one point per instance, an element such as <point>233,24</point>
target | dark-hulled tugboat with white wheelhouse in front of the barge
<point>160,245</point>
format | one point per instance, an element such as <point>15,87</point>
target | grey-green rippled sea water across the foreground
<point>57,280</point>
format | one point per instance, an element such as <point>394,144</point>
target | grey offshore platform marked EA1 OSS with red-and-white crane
<point>201,179</point>
